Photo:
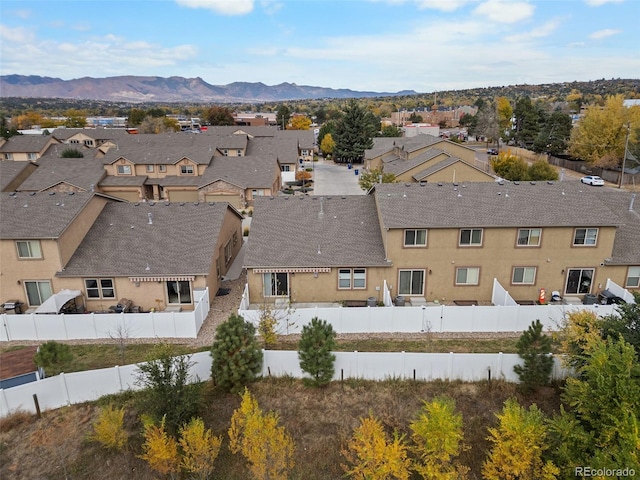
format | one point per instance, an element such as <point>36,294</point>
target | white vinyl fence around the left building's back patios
<point>108,325</point>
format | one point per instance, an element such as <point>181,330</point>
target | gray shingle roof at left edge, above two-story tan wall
<point>39,215</point>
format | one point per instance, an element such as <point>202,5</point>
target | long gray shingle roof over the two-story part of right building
<point>489,204</point>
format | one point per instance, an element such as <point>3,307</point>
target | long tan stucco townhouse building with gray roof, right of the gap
<point>446,242</point>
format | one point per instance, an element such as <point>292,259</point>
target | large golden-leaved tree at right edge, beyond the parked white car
<point>600,136</point>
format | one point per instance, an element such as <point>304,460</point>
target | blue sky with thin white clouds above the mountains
<point>376,45</point>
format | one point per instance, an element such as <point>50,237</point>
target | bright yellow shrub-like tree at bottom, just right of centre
<point>371,454</point>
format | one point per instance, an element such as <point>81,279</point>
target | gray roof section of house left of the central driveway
<point>245,172</point>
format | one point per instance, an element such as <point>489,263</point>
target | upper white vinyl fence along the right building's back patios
<point>435,319</point>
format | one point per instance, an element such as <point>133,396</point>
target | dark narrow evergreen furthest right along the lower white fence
<point>534,347</point>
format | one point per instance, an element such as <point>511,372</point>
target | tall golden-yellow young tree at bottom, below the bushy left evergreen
<point>257,436</point>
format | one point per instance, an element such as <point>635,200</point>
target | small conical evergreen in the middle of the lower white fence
<point>317,341</point>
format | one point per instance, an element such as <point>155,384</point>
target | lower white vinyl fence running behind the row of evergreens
<point>72,388</point>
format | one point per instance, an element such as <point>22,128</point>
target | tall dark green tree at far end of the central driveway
<point>354,133</point>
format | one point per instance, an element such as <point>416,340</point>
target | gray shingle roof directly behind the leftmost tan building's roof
<point>79,172</point>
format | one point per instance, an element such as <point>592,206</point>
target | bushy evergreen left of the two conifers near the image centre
<point>237,358</point>
